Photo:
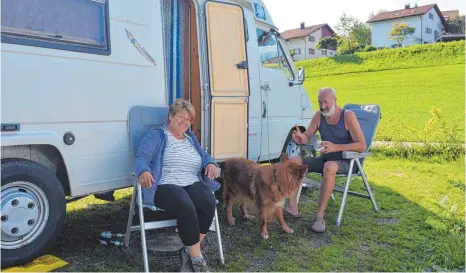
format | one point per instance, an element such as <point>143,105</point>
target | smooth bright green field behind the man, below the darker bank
<point>405,96</point>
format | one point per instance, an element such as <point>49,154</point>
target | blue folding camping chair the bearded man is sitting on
<point>368,117</point>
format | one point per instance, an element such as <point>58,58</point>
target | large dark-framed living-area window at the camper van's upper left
<point>75,25</point>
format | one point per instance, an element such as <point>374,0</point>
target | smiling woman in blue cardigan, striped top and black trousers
<point>168,165</point>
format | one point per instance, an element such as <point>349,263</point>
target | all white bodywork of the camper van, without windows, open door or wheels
<point>50,92</point>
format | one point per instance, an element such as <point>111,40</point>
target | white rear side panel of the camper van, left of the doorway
<point>50,92</point>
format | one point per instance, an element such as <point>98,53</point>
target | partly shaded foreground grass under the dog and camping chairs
<point>420,226</point>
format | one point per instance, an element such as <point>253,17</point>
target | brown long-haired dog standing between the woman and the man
<point>246,181</point>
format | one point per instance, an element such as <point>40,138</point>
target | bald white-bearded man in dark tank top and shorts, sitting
<point>340,131</point>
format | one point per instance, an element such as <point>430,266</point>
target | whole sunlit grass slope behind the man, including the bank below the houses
<point>407,83</point>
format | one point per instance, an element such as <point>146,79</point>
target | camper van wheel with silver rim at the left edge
<point>32,210</point>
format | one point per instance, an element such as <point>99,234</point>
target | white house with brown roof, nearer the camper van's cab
<point>303,41</point>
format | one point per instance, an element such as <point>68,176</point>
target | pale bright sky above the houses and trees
<point>288,14</point>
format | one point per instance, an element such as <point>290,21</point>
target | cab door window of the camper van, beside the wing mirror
<point>271,53</point>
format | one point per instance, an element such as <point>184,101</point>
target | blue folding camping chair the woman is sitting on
<point>140,120</point>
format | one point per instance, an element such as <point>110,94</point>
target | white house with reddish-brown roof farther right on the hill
<point>428,21</point>
